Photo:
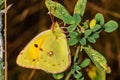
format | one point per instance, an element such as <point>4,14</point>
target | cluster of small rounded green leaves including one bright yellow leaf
<point>89,32</point>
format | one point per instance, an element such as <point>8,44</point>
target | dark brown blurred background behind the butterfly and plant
<point>27,18</point>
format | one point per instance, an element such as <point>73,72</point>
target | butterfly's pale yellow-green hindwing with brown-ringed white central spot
<point>54,57</point>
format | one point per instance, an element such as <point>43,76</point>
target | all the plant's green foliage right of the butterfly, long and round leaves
<point>83,33</point>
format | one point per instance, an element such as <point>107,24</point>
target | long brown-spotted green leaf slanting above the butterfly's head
<point>59,11</point>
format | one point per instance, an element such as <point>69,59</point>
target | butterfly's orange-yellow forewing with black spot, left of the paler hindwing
<point>29,56</point>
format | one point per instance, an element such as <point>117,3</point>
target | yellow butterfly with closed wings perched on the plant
<point>48,51</point>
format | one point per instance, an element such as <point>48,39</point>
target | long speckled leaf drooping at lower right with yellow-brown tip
<point>98,59</point>
